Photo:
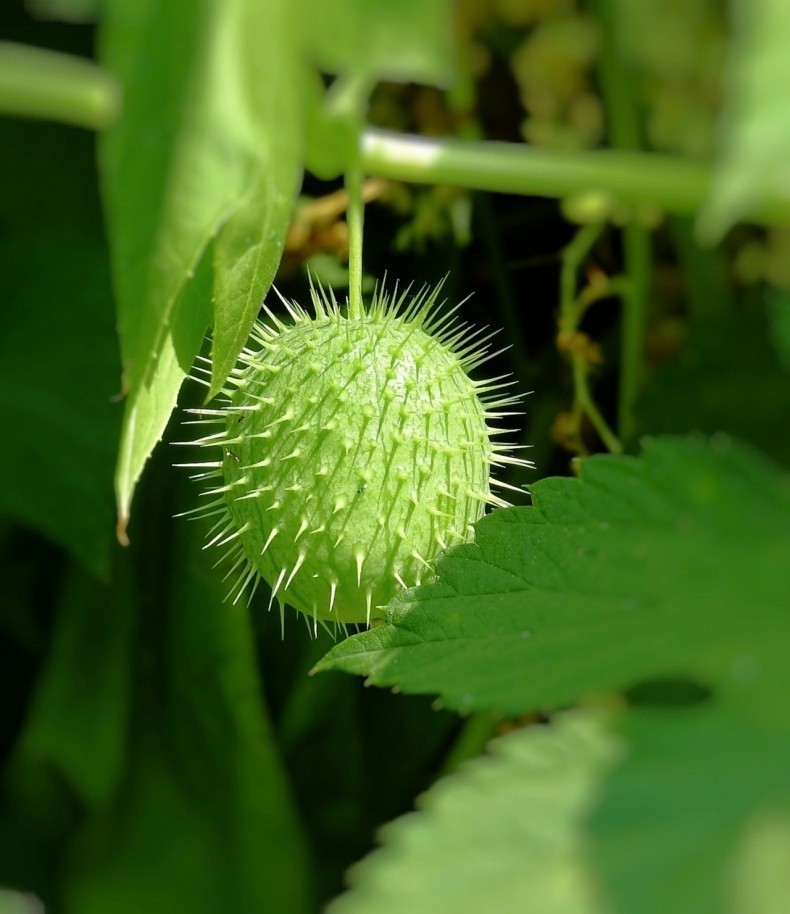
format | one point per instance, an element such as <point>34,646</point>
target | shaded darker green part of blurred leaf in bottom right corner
<point>674,813</point>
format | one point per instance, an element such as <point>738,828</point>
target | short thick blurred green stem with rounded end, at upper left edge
<point>46,84</point>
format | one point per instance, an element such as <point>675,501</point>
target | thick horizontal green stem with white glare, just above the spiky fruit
<point>674,184</point>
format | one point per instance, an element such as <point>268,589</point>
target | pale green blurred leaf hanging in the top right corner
<point>755,137</point>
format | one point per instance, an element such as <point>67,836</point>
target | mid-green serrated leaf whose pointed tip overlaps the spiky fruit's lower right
<point>641,567</point>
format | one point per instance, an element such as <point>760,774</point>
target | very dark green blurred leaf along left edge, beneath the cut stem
<point>58,355</point>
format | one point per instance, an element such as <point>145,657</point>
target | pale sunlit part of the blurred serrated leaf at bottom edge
<point>503,834</point>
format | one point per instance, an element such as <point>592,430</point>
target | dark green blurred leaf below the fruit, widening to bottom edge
<point>203,822</point>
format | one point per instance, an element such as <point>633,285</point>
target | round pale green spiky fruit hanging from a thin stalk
<point>351,451</point>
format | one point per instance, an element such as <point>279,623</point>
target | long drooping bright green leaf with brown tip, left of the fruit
<point>208,146</point>
